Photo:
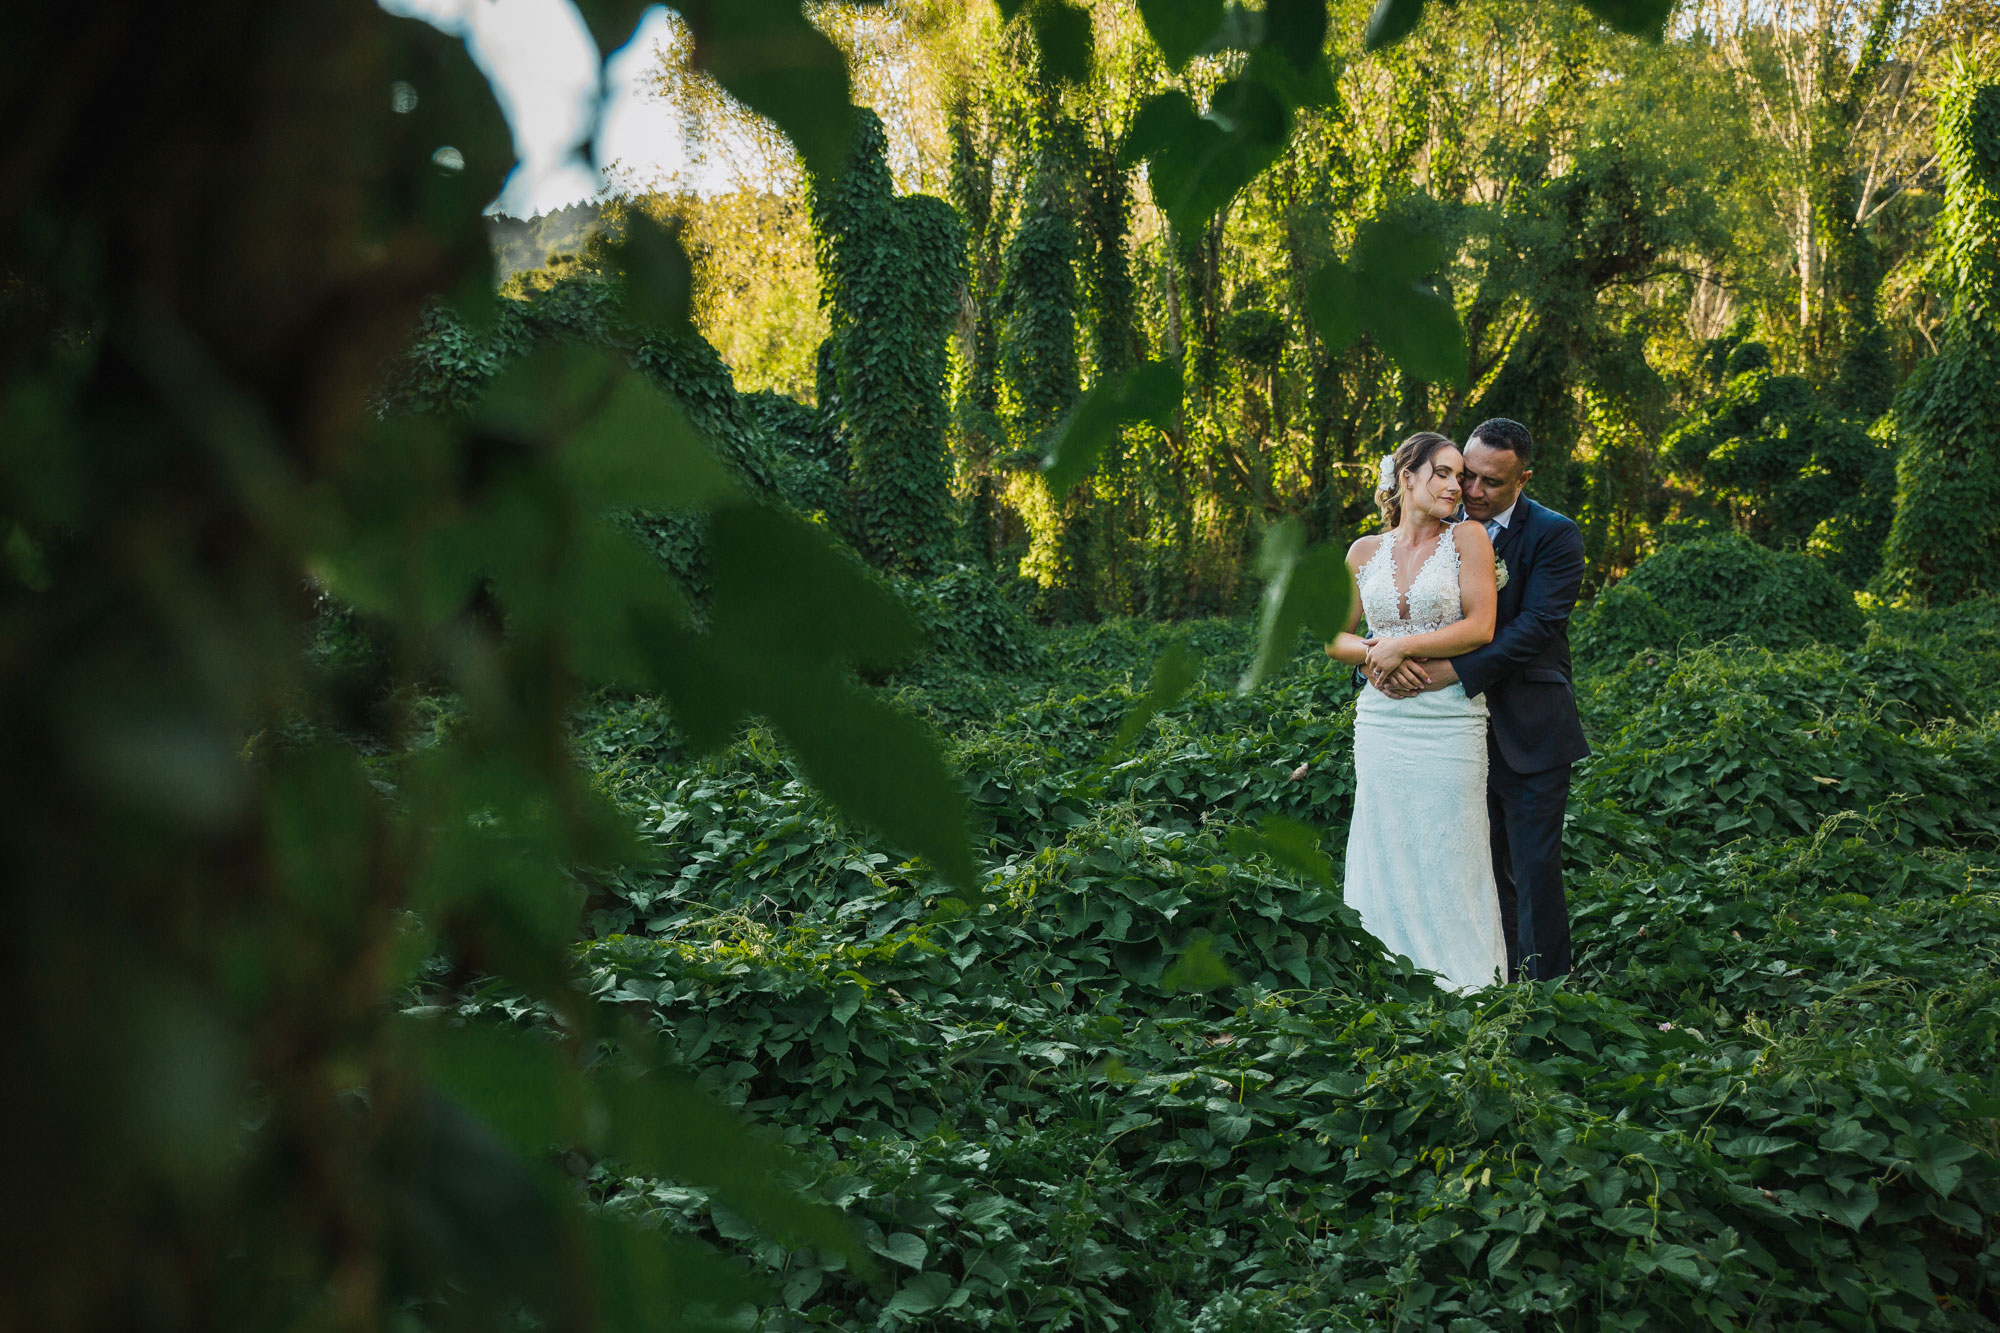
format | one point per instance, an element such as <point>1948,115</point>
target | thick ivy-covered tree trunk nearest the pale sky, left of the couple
<point>891,271</point>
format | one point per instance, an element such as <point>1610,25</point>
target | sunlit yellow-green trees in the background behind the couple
<point>1575,223</point>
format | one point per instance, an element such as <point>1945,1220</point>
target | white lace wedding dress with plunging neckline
<point>1419,860</point>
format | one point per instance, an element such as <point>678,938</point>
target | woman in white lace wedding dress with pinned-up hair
<point>1419,868</point>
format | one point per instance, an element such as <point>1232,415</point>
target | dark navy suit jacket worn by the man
<point>1525,672</point>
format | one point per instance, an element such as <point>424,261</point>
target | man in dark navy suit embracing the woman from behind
<point>1533,734</point>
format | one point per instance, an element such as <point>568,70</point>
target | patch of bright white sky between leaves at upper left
<point>571,127</point>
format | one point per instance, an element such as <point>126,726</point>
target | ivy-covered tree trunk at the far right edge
<point>1945,539</point>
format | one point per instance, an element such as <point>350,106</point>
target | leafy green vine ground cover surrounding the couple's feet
<point>1159,1078</point>
